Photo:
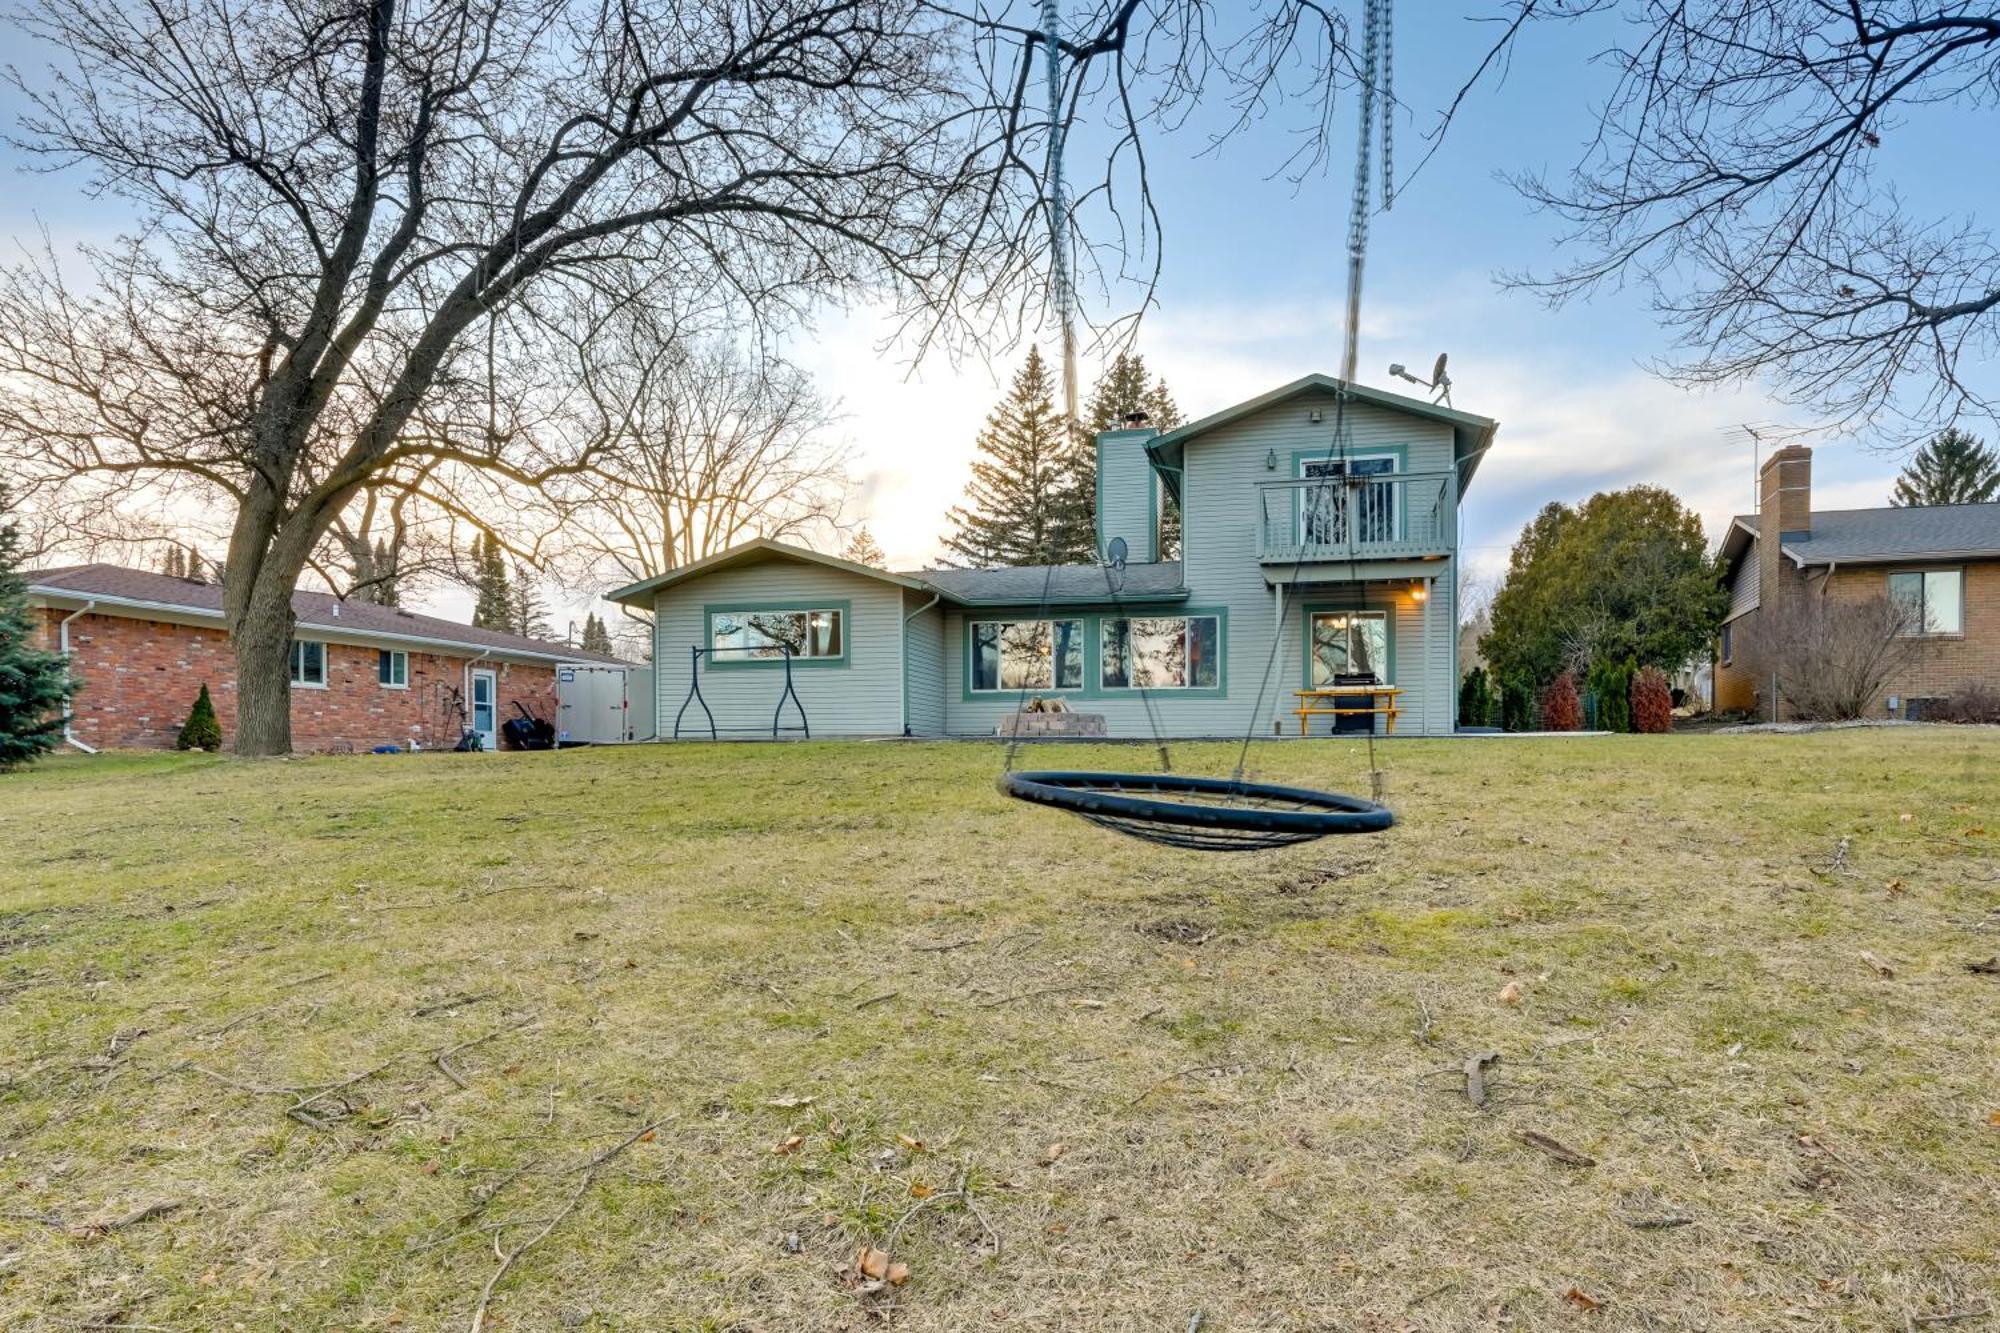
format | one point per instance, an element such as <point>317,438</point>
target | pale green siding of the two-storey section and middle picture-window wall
<point>1223,571</point>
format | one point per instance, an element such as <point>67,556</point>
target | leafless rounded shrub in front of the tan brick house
<point>1833,657</point>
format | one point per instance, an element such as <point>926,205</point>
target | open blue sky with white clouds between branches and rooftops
<point>1253,297</point>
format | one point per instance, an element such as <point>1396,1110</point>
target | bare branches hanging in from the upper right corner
<point>1743,175</point>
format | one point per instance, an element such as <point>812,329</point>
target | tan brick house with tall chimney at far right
<point>1941,559</point>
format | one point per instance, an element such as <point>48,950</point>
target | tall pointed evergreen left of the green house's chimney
<point>1015,501</point>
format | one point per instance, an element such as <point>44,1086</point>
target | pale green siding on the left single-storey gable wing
<point>857,700</point>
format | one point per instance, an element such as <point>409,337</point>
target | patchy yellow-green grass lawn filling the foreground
<point>727,1016</point>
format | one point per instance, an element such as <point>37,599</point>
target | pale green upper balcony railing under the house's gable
<point>1371,517</point>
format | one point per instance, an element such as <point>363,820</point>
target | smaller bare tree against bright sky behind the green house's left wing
<point>713,447</point>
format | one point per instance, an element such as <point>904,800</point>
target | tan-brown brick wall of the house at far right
<point>1945,668</point>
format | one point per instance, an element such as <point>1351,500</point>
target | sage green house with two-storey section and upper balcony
<point>1305,557</point>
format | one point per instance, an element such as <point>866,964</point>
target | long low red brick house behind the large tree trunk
<point>143,645</point>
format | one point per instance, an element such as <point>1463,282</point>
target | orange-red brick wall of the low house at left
<point>141,678</point>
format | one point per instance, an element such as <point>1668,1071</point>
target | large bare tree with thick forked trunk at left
<point>357,223</point>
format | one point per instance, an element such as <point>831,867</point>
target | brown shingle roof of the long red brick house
<point>133,589</point>
